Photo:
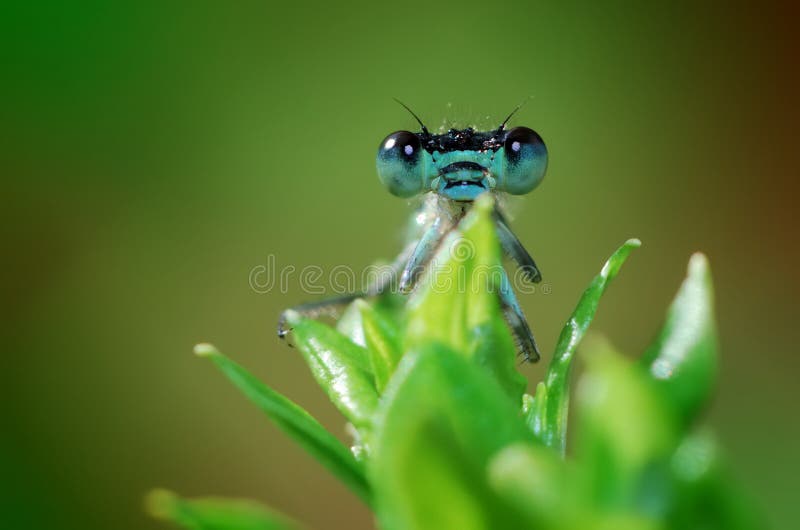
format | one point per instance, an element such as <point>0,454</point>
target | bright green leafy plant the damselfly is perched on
<point>446,438</point>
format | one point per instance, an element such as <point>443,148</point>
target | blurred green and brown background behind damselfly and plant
<point>153,154</point>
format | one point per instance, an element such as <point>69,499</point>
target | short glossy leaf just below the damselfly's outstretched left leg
<point>341,367</point>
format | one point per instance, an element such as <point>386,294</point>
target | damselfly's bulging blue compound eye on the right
<point>523,161</point>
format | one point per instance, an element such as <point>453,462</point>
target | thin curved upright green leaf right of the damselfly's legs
<point>550,423</point>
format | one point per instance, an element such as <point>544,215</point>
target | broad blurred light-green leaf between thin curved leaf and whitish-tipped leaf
<point>625,435</point>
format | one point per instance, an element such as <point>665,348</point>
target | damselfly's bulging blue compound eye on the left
<point>399,163</point>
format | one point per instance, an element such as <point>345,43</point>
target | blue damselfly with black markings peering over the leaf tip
<point>451,170</point>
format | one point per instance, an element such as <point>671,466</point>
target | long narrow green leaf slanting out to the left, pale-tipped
<point>294,421</point>
